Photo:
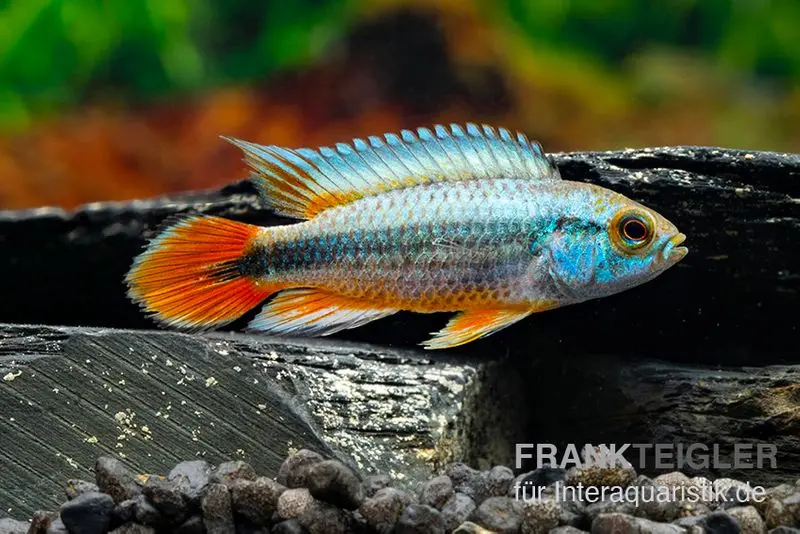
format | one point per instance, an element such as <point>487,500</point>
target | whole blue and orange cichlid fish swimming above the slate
<point>470,219</point>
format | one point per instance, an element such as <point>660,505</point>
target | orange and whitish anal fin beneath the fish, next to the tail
<point>314,312</point>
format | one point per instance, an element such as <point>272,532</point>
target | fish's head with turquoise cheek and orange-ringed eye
<point>610,244</point>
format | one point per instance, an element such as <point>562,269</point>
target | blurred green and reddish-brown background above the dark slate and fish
<point>112,99</point>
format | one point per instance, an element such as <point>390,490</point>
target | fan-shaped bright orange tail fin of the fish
<point>190,276</point>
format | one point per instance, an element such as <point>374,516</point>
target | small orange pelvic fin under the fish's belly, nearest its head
<point>474,324</point>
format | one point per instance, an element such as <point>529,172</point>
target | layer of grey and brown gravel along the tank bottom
<point>314,495</point>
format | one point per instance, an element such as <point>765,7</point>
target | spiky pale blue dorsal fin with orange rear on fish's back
<point>303,182</point>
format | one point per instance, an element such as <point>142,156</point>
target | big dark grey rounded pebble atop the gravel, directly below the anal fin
<point>333,482</point>
